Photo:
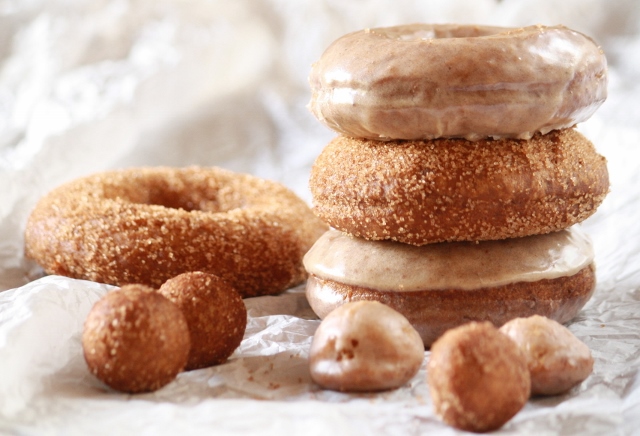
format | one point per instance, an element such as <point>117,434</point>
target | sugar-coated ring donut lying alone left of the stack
<point>147,225</point>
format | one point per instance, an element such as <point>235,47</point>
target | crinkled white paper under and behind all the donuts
<point>93,85</point>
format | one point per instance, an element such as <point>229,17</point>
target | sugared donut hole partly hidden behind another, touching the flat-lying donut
<point>215,314</point>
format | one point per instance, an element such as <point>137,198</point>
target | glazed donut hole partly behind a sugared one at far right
<point>556,358</point>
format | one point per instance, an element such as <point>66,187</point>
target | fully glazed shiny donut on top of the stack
<point>426,81</point>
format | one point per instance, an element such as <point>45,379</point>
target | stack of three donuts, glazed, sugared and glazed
<point>457,182</point>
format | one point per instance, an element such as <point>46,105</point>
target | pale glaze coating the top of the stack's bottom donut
<point>392,266</point>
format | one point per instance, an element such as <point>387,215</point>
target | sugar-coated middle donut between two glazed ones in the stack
<point>421,192</point>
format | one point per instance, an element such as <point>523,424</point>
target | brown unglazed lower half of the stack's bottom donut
<point>432,312</point>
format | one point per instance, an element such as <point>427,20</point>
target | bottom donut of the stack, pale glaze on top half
<point>441,286</point>
